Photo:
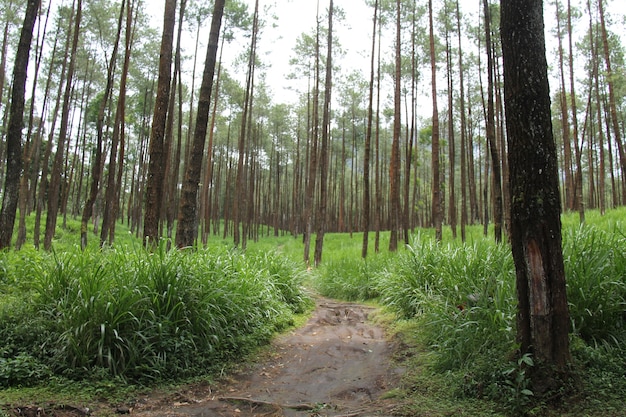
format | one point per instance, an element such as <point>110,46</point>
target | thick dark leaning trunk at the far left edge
<point>15,126</point>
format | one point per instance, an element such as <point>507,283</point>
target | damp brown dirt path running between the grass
<point>338,364</point>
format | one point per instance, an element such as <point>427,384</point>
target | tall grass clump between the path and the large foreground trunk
<point>463,295</point>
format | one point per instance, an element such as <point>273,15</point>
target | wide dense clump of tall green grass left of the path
<point>141,316</point>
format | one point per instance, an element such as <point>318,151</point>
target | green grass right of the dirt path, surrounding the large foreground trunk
<point>459,300</point>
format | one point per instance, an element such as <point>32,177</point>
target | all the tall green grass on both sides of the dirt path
<point>126,316</point>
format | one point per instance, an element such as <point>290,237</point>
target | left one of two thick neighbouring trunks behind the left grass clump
<point>154,189</point>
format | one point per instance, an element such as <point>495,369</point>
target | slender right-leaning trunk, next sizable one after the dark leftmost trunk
<point>55,176</point>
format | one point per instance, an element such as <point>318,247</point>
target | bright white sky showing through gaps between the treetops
<point>294,17</point>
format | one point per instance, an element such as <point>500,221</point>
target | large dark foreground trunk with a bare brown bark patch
<point>543,316</point>
